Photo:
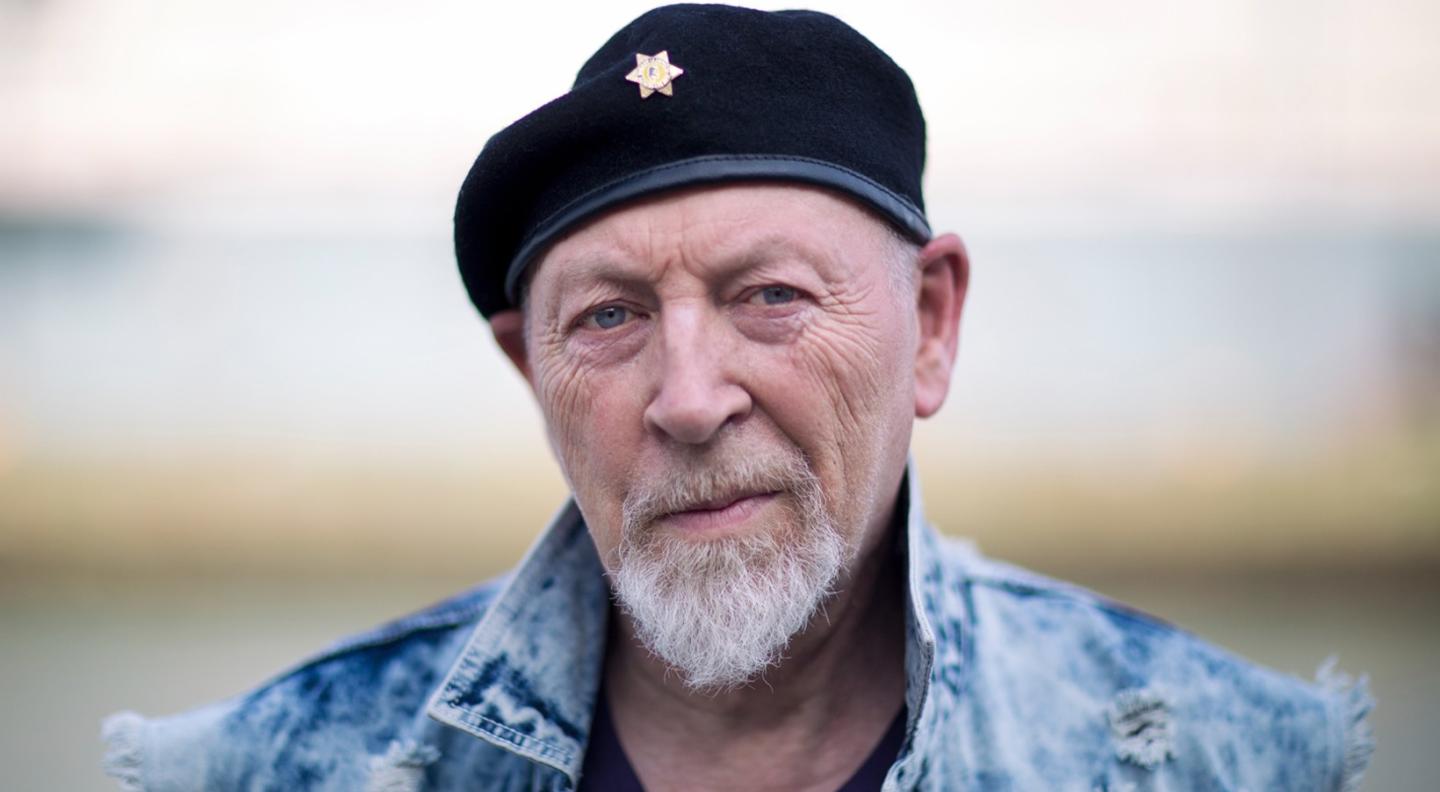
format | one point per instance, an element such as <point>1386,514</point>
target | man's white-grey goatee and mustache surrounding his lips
<point>722,611</point>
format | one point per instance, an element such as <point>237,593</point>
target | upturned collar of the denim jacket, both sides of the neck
<point>529,675</point>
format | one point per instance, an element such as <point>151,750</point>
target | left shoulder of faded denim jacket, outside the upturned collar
<point>339,721</point>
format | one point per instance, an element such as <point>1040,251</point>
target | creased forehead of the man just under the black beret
<point>712,227</point>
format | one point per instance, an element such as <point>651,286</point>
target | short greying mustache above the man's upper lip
<point>692,483</point>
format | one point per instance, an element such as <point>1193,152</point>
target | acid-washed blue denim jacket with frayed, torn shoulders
<point>1014,683</point>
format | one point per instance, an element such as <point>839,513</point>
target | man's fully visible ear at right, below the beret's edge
<point>945,274</point>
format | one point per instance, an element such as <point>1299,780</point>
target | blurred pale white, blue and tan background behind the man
<point>246,407</point>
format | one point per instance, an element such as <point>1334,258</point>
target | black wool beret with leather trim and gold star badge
<point>689,96</point>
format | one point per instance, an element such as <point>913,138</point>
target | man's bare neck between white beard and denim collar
<point>807,724</point>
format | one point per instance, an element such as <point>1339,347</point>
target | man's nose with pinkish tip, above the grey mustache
<point>698,394</point>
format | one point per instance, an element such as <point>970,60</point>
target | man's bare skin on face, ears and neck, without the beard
<point>716,322</point>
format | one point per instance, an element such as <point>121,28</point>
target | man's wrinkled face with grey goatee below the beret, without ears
<point>726,375</point>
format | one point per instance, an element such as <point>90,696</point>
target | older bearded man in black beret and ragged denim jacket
<point>712,266</point>
